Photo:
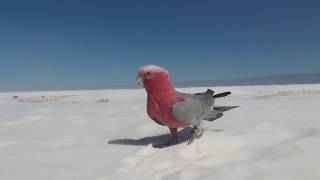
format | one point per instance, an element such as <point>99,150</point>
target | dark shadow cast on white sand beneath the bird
<point>184,135</point>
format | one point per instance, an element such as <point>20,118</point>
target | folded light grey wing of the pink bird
<point>191,110</point>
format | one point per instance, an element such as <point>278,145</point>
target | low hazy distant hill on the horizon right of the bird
<point>267,80</point>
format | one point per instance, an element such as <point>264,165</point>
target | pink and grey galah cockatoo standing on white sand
<point>174,109</point>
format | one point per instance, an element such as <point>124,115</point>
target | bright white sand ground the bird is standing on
<point>275,134</point>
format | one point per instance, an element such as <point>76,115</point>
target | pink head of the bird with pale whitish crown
<point>153,77</point>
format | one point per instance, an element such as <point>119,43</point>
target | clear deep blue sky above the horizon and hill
<point>67,44</point>
